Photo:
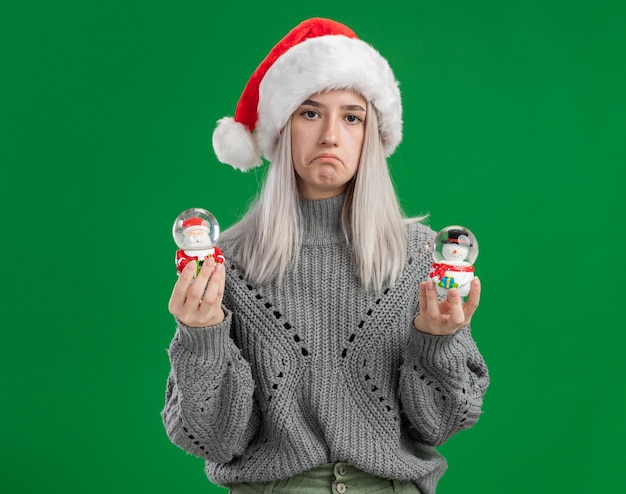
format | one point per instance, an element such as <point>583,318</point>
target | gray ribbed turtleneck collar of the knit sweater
<point>321,221</point>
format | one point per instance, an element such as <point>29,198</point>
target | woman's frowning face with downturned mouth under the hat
<point>327,132</point>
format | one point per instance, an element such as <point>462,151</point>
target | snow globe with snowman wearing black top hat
<point>454,253</point>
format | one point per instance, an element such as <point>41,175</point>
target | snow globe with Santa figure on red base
<point>195,232</point>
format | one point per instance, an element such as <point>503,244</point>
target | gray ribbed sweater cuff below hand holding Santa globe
<point>208,342</point>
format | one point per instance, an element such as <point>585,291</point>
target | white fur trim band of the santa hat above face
<point>320,64</point>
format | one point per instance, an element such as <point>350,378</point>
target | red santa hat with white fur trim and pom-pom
<point>317,55</point>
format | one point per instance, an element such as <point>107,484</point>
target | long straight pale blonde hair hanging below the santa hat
<point>268,237</point>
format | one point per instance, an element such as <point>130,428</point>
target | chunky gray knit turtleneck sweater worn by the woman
<point>317,370</point>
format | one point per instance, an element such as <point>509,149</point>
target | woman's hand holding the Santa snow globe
<point>198,303</point>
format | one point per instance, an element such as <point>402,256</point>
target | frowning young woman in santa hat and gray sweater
<point>318,358</point>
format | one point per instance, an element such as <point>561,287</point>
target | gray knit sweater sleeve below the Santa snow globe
<point>209,409</point>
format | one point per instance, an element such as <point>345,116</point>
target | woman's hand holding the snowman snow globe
<point>449,315</point>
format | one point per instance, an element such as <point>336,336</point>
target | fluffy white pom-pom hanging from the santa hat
<point>235,145</point>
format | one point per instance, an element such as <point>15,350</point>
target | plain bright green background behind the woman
<point>514,126</point>
